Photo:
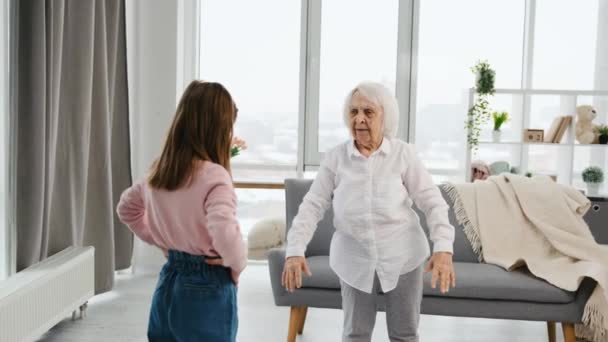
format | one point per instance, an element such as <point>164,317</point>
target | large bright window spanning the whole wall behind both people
<point>290,65</point>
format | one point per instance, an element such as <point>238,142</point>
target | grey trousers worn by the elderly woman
<point>402,309</point>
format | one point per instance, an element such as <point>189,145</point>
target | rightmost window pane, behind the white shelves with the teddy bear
<point>566,57</point>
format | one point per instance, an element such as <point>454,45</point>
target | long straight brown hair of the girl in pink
<point>201,130</point>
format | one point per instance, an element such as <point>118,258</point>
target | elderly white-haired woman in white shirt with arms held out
<point>379,244</point>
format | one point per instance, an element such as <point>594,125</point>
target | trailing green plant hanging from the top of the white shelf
<point>479,113</point>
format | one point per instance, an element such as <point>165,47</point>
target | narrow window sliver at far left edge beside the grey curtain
<point>4,112</point>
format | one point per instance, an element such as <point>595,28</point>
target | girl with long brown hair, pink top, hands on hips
<point>187,208</point>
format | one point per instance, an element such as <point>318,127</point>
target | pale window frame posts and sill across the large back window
<point>309,157</point>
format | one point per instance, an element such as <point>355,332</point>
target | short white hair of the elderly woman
<point>381,96</point>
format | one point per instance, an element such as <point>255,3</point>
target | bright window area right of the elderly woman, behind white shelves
<point>453,36</point>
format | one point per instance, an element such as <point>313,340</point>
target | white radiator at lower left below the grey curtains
<point>37,298</point>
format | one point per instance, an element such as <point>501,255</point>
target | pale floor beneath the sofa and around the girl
<point>122,315</point>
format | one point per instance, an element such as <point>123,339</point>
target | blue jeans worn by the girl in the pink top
<point>193,301</point>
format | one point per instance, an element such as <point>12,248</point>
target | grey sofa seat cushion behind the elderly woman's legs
<point>473,281</point>
